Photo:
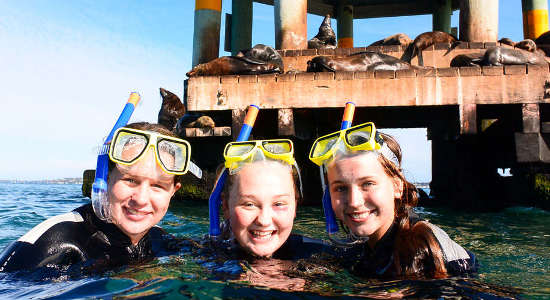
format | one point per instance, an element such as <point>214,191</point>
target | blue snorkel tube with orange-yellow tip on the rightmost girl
<point>330,217</point>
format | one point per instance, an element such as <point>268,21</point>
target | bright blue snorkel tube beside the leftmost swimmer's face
<point>99,187</point>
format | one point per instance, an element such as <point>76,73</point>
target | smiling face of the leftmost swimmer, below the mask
<point>139,195</point>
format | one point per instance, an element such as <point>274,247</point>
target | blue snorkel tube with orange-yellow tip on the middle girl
<point>214,202</point>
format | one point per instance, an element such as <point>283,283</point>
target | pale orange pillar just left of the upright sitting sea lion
<point>290,24</point>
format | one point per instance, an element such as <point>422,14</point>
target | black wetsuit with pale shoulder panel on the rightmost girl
<point>378,262</point>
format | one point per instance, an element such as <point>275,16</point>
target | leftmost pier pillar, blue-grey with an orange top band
<point>206,34</point>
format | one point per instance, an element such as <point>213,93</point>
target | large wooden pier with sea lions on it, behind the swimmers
<point>478,119</point>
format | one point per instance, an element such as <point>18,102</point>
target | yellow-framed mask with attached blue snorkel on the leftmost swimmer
<point>127,146</point>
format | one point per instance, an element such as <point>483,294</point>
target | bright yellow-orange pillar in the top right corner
<point>535,18</point>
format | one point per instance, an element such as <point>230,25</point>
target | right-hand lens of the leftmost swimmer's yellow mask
<point>173,155</point>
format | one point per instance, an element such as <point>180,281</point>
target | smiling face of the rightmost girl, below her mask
<point>363,195</point>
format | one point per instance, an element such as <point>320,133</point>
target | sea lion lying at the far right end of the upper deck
<point>499,56</point>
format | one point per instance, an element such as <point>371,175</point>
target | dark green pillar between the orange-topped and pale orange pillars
<point>241,25</point>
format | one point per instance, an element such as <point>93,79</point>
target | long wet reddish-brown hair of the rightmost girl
<point>416,251</point>
